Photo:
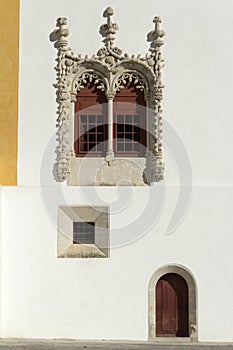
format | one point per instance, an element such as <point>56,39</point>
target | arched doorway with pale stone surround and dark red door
<point>172,287</point>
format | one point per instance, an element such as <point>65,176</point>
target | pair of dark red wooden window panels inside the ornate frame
<point>91,123</point>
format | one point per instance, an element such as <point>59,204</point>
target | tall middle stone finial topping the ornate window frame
<point>109,29</point>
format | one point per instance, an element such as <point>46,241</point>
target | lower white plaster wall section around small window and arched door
<point>43,296</point>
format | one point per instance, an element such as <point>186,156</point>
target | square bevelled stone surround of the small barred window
<point>66,216</point>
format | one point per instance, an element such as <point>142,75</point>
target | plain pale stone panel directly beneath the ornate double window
<point>97,172</point>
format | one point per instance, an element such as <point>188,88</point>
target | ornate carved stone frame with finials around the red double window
<point>110,70</point>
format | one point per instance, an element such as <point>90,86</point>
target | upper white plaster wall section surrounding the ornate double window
<point>198,75</point>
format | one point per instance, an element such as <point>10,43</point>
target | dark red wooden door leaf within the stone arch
<point>172,306</point>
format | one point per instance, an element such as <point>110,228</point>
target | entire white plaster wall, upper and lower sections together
<point>43,296</point>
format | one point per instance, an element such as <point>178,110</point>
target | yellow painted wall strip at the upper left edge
<point>9,63</point>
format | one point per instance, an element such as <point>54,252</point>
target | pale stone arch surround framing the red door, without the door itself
<point>192,295</point>
